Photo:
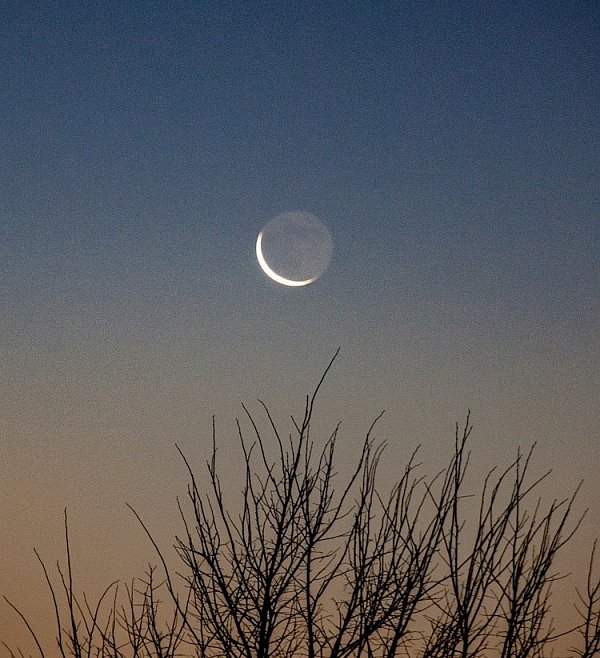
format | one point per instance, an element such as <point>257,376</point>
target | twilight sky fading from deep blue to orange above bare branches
<point>451,148</point>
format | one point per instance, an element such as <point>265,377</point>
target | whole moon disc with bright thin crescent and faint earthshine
<point>294,248</point>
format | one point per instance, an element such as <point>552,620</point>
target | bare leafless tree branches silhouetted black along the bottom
<point>309,564</point>
